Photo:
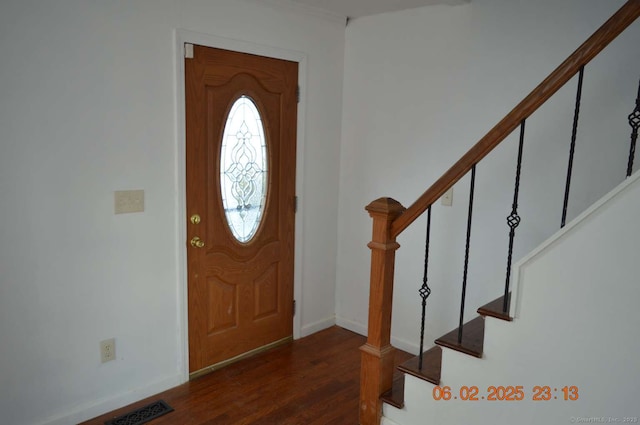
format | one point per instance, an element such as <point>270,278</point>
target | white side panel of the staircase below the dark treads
<point>577,320</point>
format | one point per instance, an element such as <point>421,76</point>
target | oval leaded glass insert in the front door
<point>243,169</point>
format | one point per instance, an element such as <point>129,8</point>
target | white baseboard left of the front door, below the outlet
<point>92,409</point>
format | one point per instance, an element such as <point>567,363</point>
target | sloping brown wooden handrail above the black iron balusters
<point>558,78</point>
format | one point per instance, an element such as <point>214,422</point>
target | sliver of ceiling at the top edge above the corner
<point>359,8</point>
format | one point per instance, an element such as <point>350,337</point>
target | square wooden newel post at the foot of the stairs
<point>376,374</point>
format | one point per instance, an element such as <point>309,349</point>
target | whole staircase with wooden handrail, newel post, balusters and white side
<point>540,343</point>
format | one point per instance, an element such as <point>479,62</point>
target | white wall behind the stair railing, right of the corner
<point>421,87</point>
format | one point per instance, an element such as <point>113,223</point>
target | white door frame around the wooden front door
<point>185,36</point>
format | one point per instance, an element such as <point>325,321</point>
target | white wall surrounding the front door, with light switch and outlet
<point>88,106</point>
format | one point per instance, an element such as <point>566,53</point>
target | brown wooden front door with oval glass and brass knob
<point>241,119</point>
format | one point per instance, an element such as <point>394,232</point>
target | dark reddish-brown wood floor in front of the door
<point>314,380</point>
